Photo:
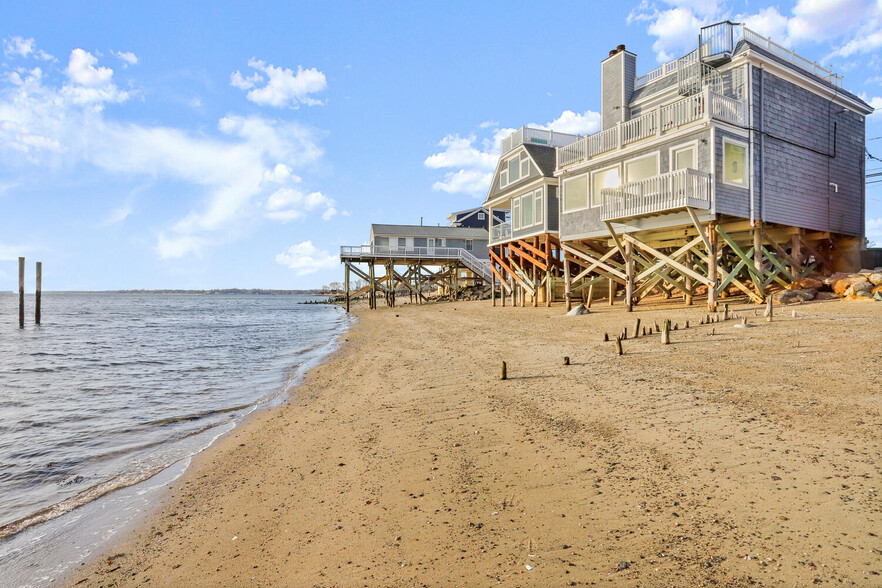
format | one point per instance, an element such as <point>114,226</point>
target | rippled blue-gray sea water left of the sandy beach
<point>113,389</point>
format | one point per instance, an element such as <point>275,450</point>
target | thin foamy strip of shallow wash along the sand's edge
<point>128,496</point>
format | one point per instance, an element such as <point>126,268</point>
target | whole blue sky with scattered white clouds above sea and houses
<point>204,145</point>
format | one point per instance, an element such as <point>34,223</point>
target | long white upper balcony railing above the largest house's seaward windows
<point>654,123</point>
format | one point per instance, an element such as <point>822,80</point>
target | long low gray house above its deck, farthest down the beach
<point>432,239</point>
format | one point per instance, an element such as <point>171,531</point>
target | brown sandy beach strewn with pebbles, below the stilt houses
<point>750,456</point>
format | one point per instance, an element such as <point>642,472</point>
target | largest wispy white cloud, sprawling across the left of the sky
<point>50,122</point>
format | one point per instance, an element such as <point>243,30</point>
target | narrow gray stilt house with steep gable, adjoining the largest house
<point>525,253</point>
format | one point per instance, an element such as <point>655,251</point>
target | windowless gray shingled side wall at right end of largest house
<point>800,131</point>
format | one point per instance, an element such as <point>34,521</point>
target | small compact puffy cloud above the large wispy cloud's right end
<point>283,88</point>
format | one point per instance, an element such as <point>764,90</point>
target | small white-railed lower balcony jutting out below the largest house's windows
<point>663,193</point>
